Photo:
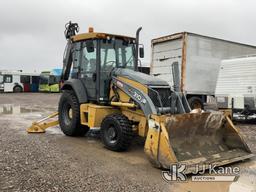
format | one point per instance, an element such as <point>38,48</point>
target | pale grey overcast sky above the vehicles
<point>31,31</point>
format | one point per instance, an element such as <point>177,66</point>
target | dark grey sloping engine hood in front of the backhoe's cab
<point>139,77</point>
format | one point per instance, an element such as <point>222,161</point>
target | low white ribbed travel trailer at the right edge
<point>236,85</point>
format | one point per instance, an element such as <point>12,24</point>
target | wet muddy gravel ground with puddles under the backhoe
<point>55,162</point>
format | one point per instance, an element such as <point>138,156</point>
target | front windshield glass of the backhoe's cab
<point>117,53</point>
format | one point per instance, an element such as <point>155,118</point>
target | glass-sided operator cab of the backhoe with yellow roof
<point>94,57</point>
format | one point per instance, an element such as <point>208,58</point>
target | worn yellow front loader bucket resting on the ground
<point>194,139</point>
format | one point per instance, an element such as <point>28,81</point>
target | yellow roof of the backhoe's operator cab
<point>96,35</point>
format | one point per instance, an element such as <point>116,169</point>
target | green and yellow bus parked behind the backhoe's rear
<point>50,81</point>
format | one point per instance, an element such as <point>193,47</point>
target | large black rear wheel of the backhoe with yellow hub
<point>69,115</point>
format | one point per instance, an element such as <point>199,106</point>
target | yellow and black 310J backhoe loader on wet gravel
<point>106,90</point>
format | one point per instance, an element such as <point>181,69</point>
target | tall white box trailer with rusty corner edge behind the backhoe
<point>199,59</point>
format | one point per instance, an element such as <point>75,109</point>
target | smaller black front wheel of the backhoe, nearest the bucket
<point>116,132</point>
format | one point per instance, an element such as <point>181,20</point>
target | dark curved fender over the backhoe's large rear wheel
<point>77,86</point>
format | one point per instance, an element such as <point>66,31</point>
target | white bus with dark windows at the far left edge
<point>17,81</point>
